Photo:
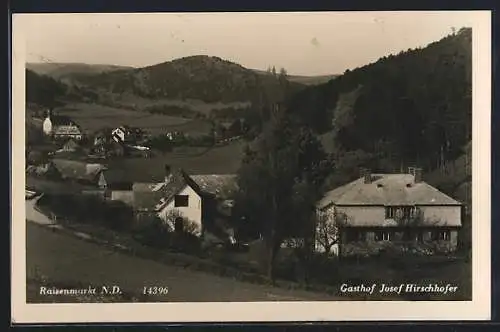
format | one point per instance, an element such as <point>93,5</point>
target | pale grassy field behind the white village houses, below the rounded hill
<point>92,117</point>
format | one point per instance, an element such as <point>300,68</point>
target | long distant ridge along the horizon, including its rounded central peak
<point>199,77</point>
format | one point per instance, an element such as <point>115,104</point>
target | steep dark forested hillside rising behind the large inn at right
<point>413,107</point>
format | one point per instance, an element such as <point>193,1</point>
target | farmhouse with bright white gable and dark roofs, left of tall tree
<point>202,201</point>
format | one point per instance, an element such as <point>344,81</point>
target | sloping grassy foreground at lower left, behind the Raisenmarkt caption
<point>55,259</point>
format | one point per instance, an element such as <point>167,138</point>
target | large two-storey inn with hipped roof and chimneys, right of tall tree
<point>379,210</point>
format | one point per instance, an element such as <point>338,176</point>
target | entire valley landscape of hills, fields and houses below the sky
<point>230,183</point>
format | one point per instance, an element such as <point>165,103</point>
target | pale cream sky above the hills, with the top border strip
<point>308,43</point>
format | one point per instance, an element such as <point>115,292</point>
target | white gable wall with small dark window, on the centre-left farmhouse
<point>192,212</point>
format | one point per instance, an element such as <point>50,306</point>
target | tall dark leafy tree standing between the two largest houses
<point>276,183</point>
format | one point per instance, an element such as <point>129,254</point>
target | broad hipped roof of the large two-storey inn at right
<point>386,189</point>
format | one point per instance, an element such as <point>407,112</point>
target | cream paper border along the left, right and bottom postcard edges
<point>477,309</point>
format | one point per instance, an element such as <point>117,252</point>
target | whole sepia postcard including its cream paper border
<point>322,158</point>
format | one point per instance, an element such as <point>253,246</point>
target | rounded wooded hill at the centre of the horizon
<point>200,77</point>
